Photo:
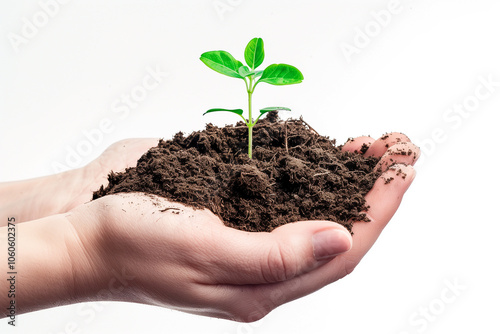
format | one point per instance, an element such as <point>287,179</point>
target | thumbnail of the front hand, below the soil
<point>329,243</point>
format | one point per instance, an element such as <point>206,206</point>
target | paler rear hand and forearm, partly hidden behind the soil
<point>41,197</point>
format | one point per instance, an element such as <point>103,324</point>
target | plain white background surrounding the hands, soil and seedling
<point>405,75</point>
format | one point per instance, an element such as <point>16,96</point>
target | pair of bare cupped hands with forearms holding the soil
<point>145,249</point>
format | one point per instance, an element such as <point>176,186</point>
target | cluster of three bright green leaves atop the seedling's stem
<point>276,74</point>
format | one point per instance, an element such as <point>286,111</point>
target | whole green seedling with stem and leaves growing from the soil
<point>276,74</point>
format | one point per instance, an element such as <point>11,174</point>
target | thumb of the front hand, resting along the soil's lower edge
<point>287,252</point>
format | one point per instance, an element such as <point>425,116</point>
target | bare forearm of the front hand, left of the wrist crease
<point>42,264</point>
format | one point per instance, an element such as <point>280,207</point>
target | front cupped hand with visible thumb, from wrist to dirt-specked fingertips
<point>185,259</point>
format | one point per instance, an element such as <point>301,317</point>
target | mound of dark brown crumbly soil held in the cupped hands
<point>295,174</point>
